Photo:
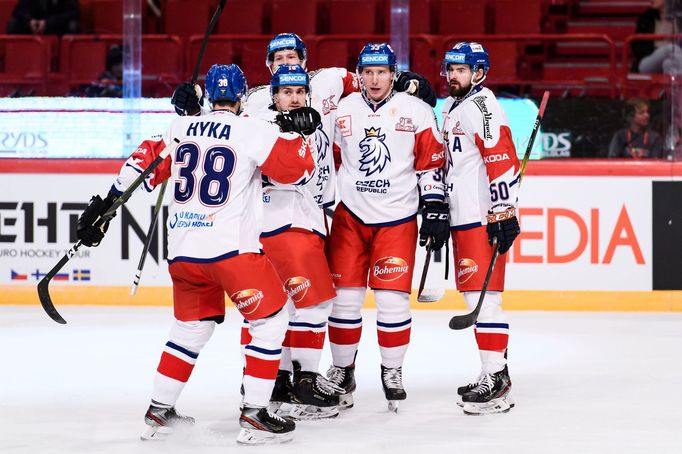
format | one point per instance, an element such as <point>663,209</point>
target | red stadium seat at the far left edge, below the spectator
<point>25,63</point>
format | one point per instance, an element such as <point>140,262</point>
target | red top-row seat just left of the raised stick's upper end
<point>186,17</point>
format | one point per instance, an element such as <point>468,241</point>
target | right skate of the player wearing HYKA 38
<point>260,427</point>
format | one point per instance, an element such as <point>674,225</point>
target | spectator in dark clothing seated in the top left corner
<point>45,17</point>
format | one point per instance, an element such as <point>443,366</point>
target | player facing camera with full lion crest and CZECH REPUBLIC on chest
<point>389,149</point>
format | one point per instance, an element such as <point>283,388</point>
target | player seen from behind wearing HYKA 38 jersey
<point>213,246</point>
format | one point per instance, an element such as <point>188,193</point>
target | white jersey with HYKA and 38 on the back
<point>216,210</point>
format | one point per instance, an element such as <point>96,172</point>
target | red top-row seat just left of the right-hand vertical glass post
<point>353,16</point>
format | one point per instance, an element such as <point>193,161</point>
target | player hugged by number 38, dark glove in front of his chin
<point>293,237</point>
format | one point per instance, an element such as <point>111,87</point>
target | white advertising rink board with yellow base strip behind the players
<point>587,241</point>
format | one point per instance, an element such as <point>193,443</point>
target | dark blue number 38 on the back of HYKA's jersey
<point>214,182</point>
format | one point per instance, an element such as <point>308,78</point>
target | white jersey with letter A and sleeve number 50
<point>482,170</point>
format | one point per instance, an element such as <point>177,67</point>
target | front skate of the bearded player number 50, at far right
<point>491,395</point>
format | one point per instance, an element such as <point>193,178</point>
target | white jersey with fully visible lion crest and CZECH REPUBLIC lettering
<point>386,156</point>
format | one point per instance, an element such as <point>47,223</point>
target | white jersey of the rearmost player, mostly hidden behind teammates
<point>327,87</point>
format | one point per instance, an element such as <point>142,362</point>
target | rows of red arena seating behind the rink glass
<point>572,47</point>
